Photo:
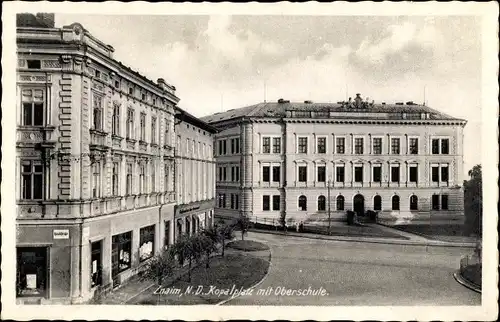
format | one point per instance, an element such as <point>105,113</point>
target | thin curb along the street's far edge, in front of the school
<point>373,240</point>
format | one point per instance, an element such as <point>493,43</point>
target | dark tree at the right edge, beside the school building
<point>473,201</point>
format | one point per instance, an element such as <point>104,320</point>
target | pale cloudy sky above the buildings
<point>223,62</point>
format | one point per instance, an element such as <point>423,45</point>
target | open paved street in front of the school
<point>355,273</point>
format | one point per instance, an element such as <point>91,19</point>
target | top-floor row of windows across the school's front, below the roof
<point>439,146</point>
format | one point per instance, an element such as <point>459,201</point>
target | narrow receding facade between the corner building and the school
<point>195,174</point>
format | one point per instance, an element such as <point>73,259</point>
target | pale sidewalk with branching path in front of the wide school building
<point>411,238</point>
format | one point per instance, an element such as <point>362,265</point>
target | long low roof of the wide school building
<point>280,109</point>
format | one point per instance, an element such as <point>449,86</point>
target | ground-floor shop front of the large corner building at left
<point>69,261</point>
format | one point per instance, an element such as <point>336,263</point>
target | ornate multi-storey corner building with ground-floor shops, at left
<point>95,164</point>
